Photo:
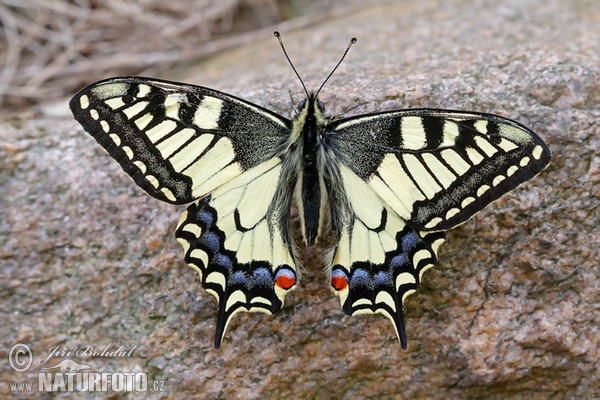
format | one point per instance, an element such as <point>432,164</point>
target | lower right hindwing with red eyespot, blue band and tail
<point>379,259</point>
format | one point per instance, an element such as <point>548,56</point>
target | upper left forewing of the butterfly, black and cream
<point>178,142</point>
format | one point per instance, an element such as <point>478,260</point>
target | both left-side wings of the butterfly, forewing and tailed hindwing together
<point>181,142</point>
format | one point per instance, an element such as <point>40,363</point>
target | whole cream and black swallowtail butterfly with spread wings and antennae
<point>386,185</point>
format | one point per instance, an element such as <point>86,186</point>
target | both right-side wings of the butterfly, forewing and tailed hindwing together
<point>421,172</point>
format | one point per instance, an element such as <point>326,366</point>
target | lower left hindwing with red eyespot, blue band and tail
<point>237,238</point>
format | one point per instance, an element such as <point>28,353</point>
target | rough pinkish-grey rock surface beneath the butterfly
<point>510,311</point>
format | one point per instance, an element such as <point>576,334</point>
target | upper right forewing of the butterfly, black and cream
<point>437,168</point>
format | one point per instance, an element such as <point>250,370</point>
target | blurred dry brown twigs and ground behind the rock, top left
<point>49,49</point>
